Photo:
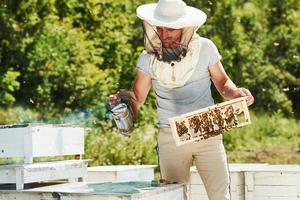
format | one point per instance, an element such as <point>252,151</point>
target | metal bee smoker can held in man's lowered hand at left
<point>123,115</point>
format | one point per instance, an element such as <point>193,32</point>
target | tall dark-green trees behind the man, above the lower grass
<point>87,48</point>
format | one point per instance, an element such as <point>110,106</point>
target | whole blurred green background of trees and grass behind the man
<point>61,59</point>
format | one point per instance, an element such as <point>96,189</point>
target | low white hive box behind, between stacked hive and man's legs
<point>121,173</point>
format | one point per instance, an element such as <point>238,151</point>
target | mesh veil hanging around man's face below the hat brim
<point>153,43</point>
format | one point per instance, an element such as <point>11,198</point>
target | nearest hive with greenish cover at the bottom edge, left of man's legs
<point>99,191</point>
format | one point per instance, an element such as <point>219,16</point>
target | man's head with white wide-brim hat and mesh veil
<point>169,26</point>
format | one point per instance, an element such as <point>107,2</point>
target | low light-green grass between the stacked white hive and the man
<point>110,147</point>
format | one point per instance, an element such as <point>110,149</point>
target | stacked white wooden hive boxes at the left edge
<point>29,141</point>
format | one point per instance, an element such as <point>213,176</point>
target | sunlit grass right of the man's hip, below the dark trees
<point>269,139</point>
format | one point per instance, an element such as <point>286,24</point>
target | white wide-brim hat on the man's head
<point>172,14</point>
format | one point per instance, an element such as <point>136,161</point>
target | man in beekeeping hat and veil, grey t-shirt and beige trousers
<point>180,66</point>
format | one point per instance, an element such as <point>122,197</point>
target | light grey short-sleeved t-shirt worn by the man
<point>196,91</point>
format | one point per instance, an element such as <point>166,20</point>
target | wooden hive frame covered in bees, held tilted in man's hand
<point>210,121</point>
